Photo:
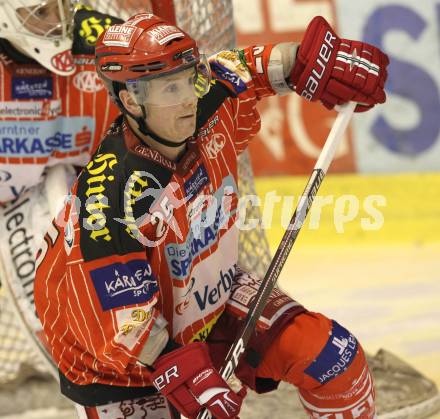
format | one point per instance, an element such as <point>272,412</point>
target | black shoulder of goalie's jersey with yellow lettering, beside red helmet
<point>88,26</point>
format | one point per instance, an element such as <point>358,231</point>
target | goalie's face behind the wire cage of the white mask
<point>44,18</point>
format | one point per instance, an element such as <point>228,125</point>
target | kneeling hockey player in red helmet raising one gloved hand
<point>138,288</point>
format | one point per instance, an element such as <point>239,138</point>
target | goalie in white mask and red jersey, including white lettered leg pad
<point>53,111</point>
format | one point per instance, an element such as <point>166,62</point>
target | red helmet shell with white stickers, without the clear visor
<point>143,47</point>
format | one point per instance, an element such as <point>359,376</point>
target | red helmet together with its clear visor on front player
<point>146,50</point>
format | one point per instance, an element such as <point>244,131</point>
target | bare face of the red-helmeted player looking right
<point>172,105</point>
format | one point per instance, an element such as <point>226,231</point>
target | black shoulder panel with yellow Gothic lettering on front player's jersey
<point>120,191</point>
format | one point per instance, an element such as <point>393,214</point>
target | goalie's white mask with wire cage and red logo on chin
<point>42,30</point>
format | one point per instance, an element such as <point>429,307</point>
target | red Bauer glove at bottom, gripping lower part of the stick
<point>188,379</point>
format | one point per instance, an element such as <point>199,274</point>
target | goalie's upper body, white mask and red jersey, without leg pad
<point>54,108</point>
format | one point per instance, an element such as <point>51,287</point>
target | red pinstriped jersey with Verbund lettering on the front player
<point>143,235</point>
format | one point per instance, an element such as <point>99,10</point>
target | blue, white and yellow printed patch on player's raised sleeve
<point>230,68</point>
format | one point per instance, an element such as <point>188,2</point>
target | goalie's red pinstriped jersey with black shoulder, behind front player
<point>46,119</point>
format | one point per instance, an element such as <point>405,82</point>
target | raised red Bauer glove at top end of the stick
<point>335,70</point>
